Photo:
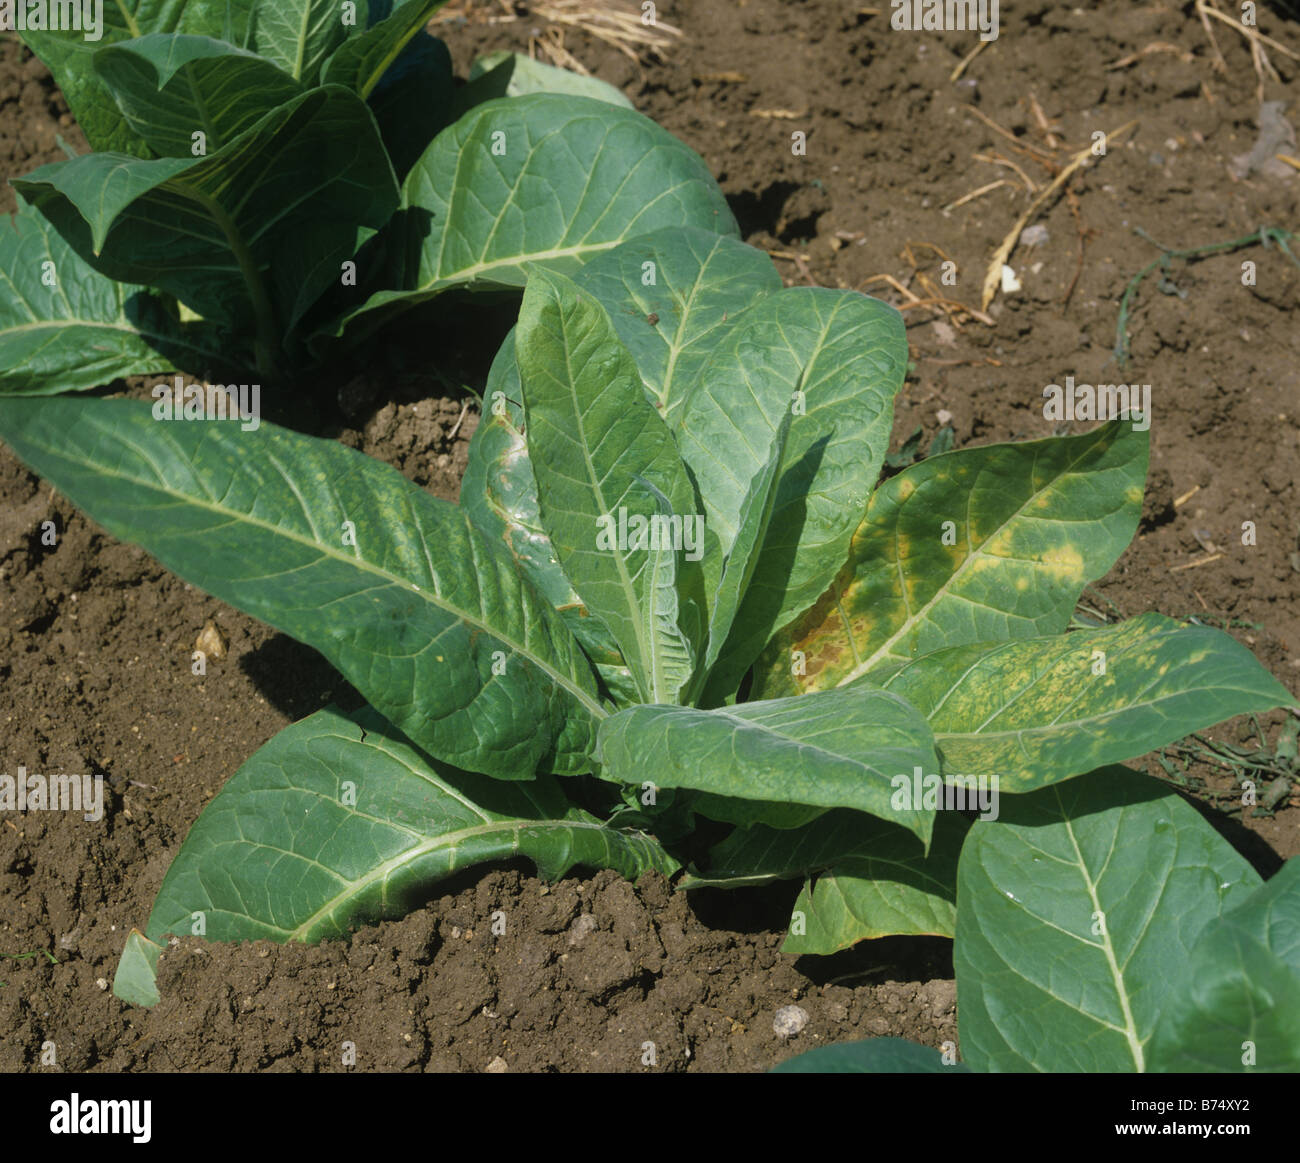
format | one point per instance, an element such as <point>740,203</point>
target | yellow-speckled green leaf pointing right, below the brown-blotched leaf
<point>1041,710</point>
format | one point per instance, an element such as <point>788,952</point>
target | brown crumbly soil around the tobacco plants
<point>96,639</point>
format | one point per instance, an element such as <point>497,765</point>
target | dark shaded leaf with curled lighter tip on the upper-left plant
<point>214,231</point>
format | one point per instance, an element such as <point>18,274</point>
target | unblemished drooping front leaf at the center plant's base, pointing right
<point>835,749</point>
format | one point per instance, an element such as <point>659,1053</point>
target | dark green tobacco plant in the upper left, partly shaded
<point>272,180</point>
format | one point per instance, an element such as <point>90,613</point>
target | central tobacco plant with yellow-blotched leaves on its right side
<point>674,570</point>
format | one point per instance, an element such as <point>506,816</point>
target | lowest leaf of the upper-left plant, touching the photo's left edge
<point>64,327</point>
